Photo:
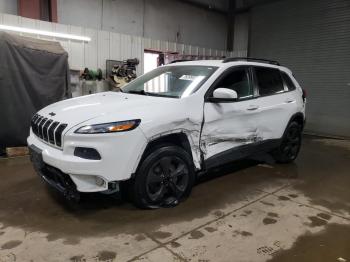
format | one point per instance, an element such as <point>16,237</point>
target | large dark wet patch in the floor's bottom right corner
<point>328,245</point>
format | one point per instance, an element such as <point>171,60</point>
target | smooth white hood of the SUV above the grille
<point>119,106</point>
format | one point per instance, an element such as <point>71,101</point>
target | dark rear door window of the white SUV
<point>269,81</point>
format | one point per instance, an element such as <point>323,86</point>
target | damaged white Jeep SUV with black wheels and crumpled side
<point>155,135</point>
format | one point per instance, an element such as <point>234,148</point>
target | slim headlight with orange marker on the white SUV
<point>109,127</point>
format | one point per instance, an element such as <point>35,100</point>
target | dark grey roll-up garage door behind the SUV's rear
<point>312,38</point>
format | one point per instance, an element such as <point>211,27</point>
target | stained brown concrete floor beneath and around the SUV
<point>243,212</point>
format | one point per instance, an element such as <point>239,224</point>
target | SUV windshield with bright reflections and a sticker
<point>170,81</point>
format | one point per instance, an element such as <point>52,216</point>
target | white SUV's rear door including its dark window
<point>276,101</point>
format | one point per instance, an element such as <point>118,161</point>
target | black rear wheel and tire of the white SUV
<point>290,146</point>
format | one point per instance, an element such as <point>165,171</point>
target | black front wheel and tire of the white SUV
<point>165,177</point>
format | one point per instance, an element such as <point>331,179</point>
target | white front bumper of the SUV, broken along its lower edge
<point>120,154</point>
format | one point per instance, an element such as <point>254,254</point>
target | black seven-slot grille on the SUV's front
<point>48,130</point>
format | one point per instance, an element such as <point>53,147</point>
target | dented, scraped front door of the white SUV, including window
<point>230,126</point>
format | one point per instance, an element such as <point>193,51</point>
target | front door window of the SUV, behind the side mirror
<point>238,81</point>
